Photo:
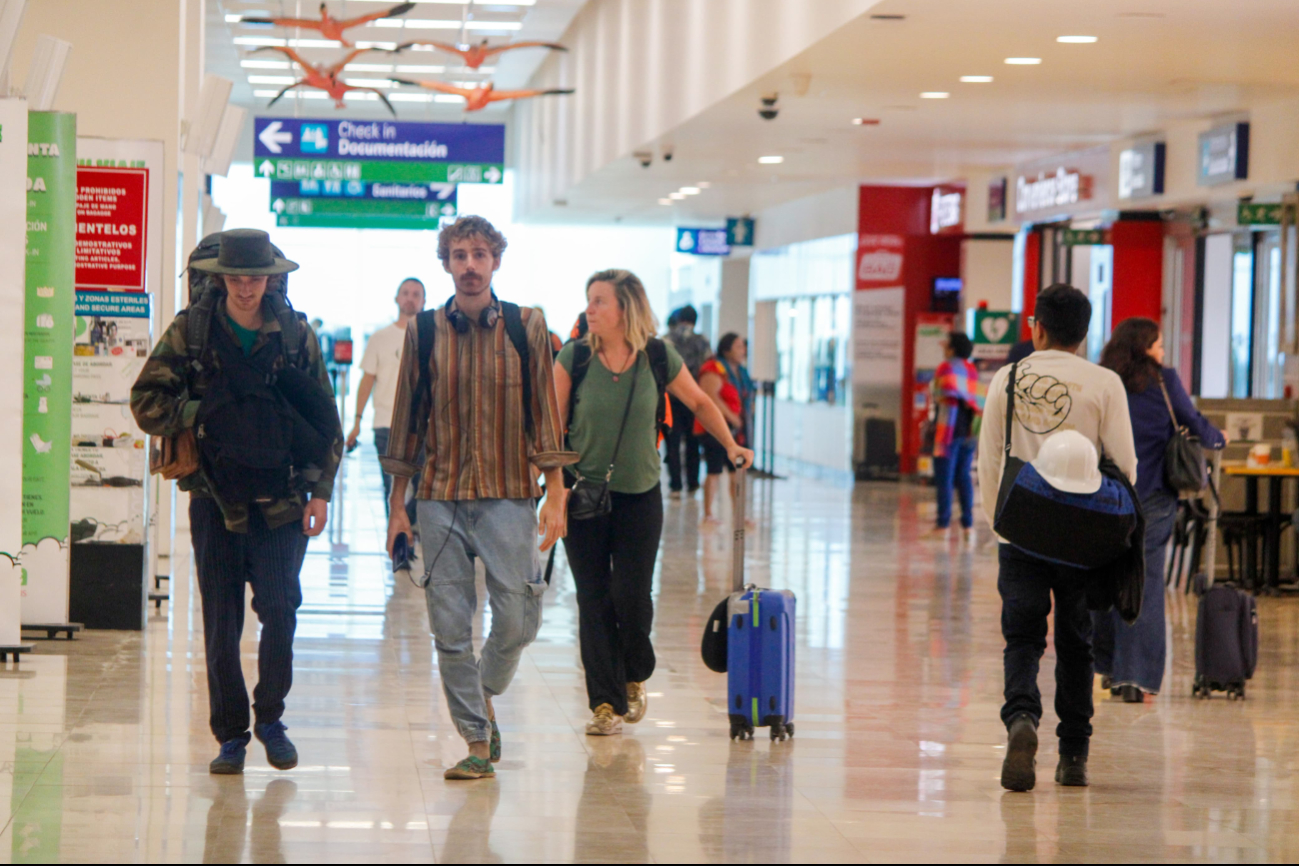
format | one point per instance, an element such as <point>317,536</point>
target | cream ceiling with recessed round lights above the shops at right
<point>1155,63</point>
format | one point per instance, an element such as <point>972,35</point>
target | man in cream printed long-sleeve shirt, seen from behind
<point>1054,390</point>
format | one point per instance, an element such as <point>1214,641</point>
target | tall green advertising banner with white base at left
<point>47,363</point>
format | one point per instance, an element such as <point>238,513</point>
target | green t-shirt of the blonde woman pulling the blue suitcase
<point>597,417</point>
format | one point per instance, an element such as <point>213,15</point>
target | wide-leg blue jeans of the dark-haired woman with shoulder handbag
<point>1135,655</point>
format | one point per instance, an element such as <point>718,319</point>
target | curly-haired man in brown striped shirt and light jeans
<point>479,489</point>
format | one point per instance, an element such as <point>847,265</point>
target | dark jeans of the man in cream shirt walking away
<point>1027,585</point>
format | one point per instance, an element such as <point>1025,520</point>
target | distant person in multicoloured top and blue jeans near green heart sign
<point>959,404</point>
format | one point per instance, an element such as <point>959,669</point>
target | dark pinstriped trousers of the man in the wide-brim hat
<point>271,560</point>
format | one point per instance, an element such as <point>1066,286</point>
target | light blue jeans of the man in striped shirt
<point>503,534</point>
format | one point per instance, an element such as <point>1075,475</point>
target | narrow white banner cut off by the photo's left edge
<point>14,210</point>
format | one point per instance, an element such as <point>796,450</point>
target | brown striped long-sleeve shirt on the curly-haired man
<point>475,436</point>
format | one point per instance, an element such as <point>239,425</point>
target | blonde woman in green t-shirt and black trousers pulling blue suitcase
<point>615,423</point>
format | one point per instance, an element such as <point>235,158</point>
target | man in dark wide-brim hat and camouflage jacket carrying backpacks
<point>249,526</point>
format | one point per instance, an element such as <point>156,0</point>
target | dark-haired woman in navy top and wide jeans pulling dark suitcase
<point>1132,658</point>
